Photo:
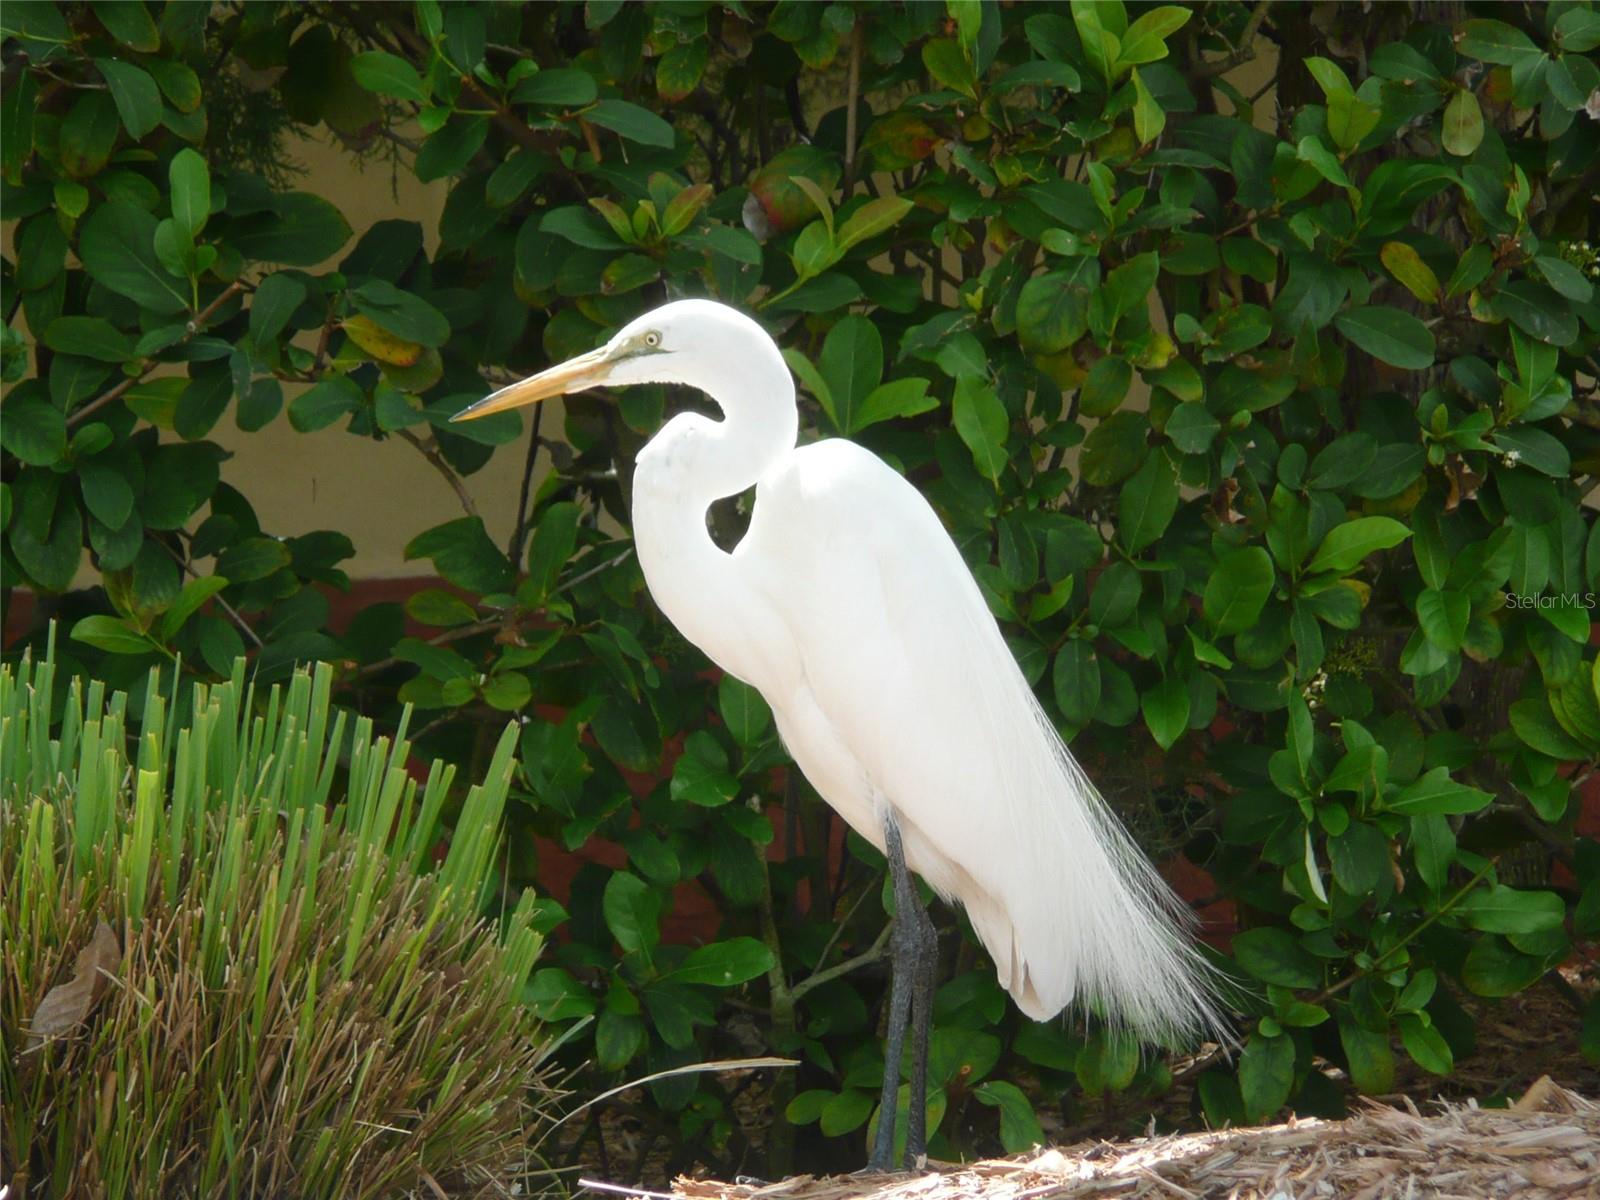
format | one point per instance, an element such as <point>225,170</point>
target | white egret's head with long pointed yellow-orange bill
<point>655,348</point>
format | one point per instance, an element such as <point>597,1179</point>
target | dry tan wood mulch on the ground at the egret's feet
<point>1545,1146</point>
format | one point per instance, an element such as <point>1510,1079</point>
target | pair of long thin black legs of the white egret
<point>914,958</point>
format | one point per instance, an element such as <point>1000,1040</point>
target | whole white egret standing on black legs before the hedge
<point>850,610</point>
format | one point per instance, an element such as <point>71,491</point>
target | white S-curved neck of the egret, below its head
<point>695,462</point>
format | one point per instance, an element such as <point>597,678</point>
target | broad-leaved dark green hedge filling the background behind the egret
<point>1266,434</point>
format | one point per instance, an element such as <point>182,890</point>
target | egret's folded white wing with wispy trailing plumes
<point>913,679</point>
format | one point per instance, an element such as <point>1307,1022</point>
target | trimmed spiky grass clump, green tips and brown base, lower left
<point>228,970</point>
